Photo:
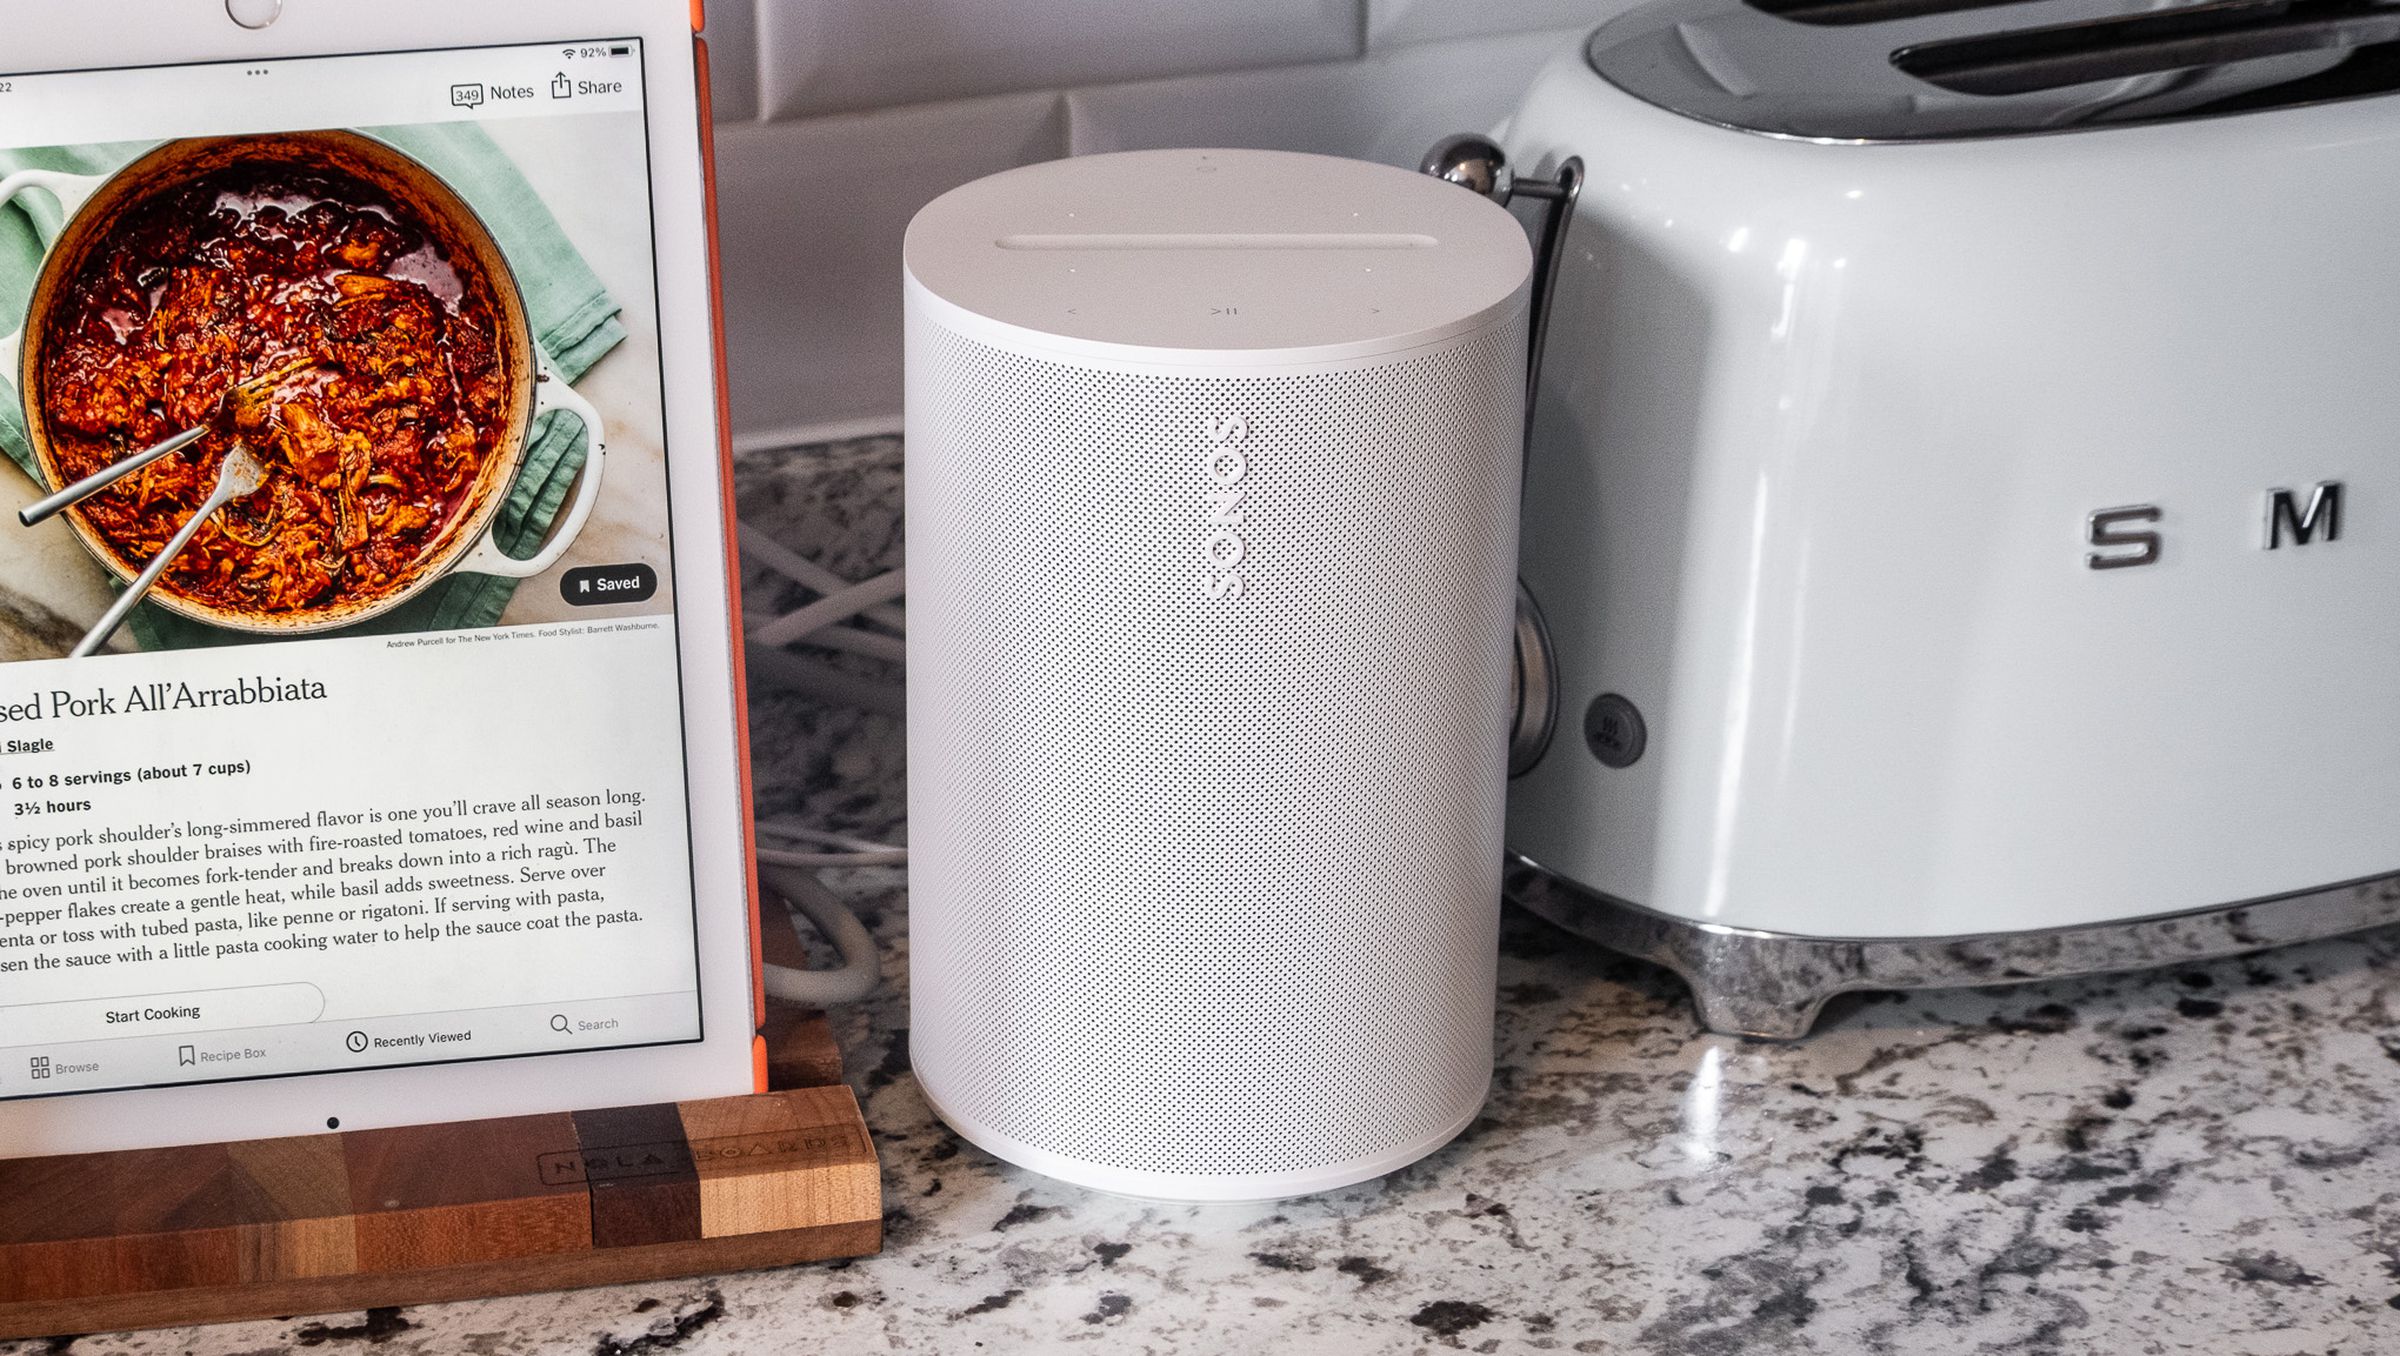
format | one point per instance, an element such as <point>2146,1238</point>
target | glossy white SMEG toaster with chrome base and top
<point>1962,524</point>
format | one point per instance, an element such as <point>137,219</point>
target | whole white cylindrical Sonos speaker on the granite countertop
<point>1213,472</point>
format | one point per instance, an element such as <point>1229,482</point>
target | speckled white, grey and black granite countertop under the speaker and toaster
<point>2188,1160</point>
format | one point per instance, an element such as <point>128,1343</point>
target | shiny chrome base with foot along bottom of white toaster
<point>1772,985</point>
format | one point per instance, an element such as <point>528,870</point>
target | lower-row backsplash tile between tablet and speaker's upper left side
<point>812,220</point>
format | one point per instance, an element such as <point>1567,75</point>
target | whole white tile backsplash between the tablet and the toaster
<point>841,119</point>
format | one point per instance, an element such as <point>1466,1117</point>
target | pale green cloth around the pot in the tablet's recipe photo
<point>575,323</point>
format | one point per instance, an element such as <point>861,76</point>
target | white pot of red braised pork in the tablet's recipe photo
<point>325,301</point>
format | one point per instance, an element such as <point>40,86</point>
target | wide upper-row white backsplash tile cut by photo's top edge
<point>829,56</point>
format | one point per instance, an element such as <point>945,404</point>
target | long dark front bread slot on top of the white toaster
<point>2164,42</point>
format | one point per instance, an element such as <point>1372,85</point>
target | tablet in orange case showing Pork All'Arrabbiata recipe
<point>412,784</point>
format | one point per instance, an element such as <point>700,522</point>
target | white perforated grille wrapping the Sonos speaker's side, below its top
<point>1208,887</point>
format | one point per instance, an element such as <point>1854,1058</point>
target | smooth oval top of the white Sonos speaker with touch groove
<point>1216,258</point>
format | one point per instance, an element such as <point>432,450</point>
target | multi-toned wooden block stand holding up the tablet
<point>436,1213</point>
